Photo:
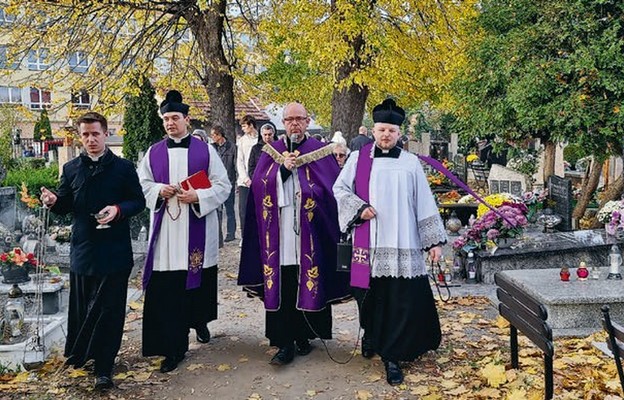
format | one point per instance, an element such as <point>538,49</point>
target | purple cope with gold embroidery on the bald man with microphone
<point>319,282</point>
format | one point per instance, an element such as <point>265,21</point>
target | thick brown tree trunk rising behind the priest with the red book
<point>208,29</point>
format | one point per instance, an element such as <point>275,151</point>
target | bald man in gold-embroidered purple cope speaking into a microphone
<point>288,253</point>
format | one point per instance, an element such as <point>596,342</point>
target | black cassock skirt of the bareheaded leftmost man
<point>97,311</point>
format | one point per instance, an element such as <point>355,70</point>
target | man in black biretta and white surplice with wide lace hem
<point>385,201</point>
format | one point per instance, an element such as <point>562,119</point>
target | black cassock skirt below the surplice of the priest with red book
<point>170,311</point>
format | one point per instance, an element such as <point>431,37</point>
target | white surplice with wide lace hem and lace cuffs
<point>407,221</point>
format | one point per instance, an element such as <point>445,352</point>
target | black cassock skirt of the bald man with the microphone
<point>288,324</point>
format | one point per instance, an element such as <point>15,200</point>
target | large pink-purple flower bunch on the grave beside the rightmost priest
<point>491,226</point>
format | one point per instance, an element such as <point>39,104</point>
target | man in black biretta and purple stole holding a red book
<point>180,275</point>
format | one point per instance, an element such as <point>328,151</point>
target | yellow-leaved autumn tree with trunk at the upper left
<point>100,46</point>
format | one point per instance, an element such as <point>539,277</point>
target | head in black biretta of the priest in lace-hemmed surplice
<point>388,118</point>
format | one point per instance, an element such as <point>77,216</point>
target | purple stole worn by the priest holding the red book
<point>198,159</point>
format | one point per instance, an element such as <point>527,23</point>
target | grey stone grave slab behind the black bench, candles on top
<point>574,307</point>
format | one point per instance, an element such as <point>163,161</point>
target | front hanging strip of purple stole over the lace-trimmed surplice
<point>360,259</point>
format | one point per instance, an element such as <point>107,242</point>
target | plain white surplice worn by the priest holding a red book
<point>171,248</point>
